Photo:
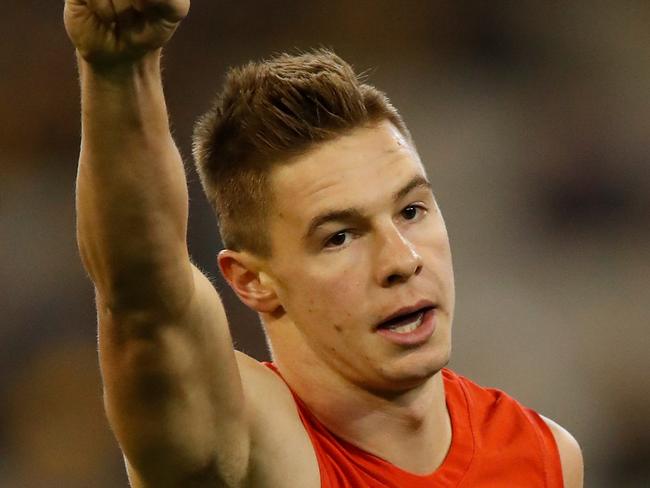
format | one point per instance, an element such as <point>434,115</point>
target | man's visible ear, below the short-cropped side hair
<point>242,272</point>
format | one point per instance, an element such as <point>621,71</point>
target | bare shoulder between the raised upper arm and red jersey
<point>280,443</point>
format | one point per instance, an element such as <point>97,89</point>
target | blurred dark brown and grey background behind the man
<point>533,121</point>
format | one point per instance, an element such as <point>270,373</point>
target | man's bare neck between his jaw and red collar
<point>410,428</point>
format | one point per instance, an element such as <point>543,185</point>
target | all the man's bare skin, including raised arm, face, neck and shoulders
<point>186,408</point>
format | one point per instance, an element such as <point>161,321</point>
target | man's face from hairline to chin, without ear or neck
<point>361,261</point>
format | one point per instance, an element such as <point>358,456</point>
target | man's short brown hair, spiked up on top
<point>267,113</point>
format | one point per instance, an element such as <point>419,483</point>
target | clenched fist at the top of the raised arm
<point>109,32</point>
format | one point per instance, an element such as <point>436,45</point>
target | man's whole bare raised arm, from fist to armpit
<point>172,387</point>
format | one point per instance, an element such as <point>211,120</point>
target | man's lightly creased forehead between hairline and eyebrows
<point>359,170</point>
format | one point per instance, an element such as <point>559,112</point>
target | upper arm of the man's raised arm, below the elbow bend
<point>173,390</point>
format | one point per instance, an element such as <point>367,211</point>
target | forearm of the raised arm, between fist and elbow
<point>132,200</point>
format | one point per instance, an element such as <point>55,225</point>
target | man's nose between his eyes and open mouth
<point>397,258</point>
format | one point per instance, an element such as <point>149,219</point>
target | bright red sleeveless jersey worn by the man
<point>496,443</point>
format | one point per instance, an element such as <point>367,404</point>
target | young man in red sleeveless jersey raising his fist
<point>333,236</point>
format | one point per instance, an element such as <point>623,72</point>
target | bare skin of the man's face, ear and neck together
<point>327,291</point>
